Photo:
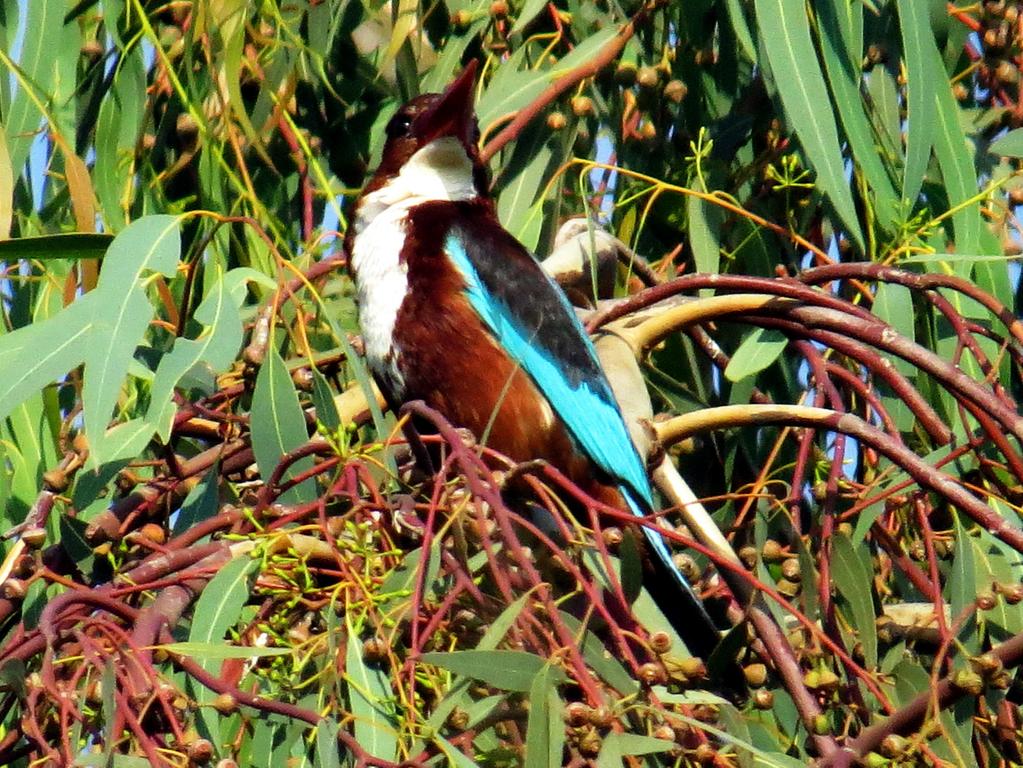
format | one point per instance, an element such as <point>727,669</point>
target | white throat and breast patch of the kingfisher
<point>440,171</point>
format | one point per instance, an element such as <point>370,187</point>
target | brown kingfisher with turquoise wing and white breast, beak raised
<point>456,312</point>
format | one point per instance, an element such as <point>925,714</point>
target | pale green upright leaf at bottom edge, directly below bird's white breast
<point>372,703</point>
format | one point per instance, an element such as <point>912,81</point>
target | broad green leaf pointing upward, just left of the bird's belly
<point>279,427</point>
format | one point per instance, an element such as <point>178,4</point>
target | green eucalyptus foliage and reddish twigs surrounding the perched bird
<point>216,547</point>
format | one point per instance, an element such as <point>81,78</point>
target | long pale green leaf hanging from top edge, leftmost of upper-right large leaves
<point>785,30</point>
